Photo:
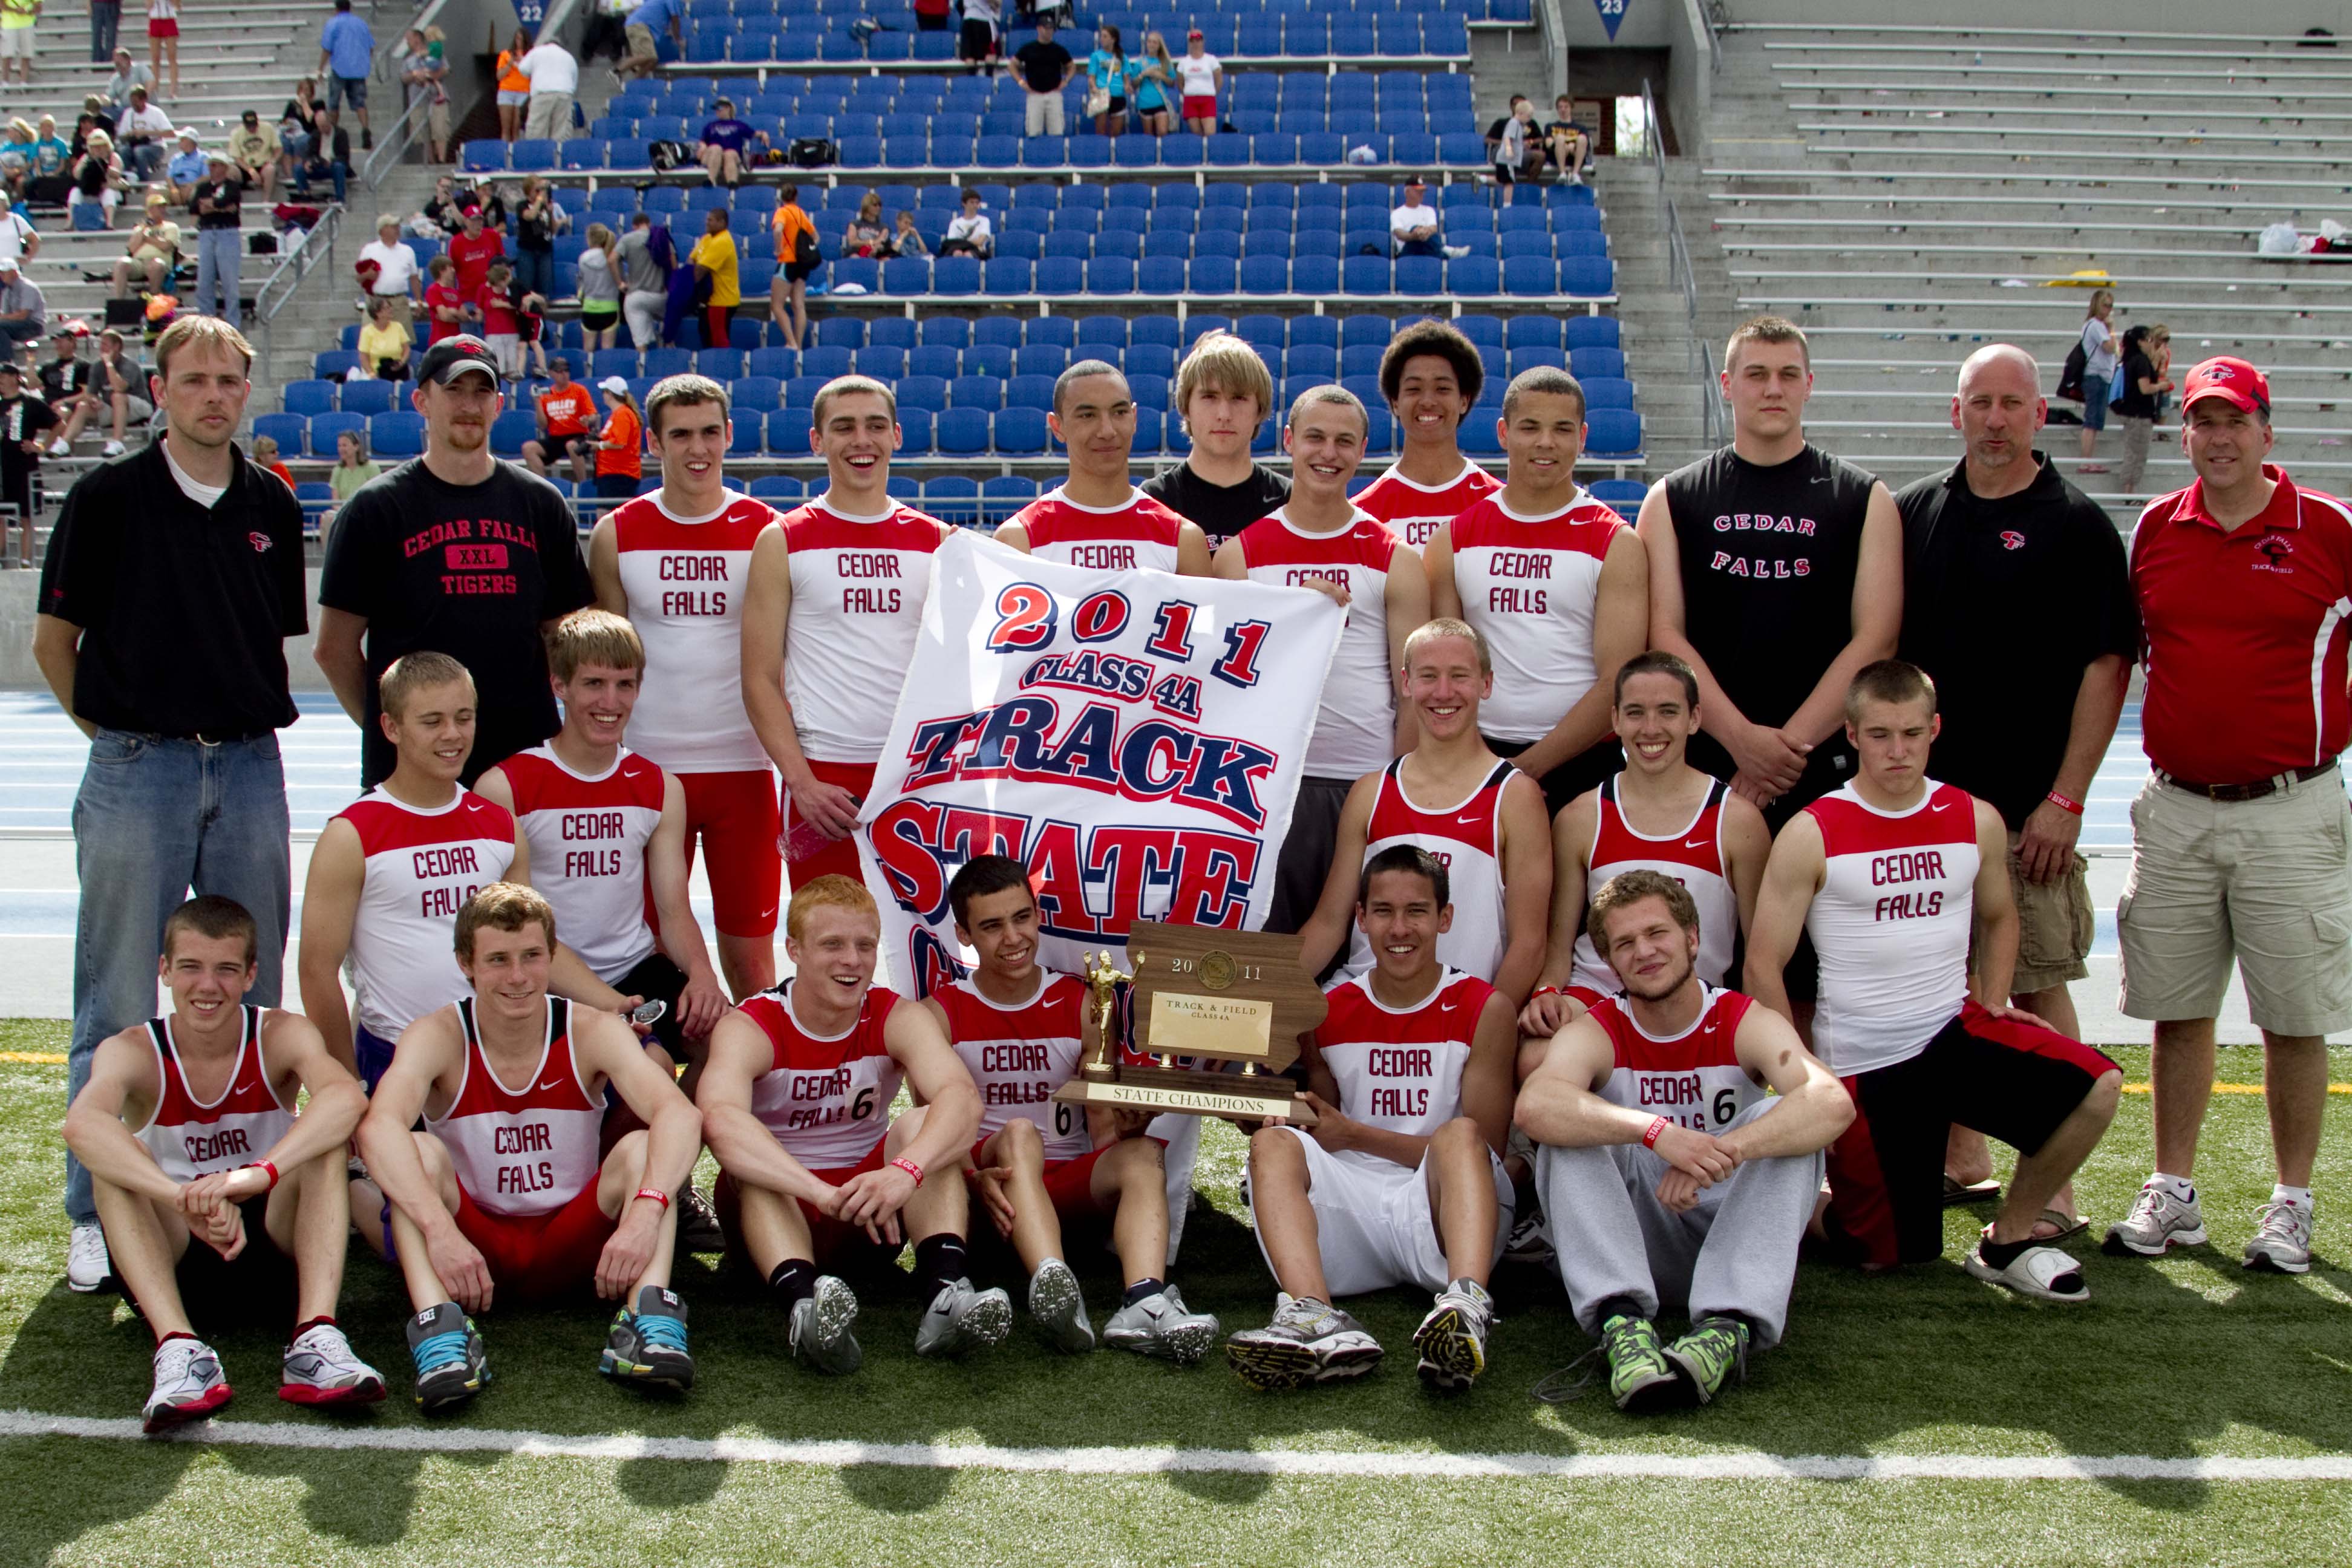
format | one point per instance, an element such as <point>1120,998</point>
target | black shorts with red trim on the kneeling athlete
<point>2010,1080</point>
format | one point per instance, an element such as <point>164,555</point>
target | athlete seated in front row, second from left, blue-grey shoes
<point>502,1195</point>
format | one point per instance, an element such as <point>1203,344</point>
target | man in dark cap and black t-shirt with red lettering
<point>460,554</point>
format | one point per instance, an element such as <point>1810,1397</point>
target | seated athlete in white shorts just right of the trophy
<point>1401,1179</point>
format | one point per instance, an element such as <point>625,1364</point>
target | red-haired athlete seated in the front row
<point>813,1172</point>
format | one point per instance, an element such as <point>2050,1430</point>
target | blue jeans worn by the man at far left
<point>152,822</point>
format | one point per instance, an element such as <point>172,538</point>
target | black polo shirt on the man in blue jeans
<point>185,610</point>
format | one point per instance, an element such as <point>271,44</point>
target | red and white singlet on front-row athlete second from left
<point>523,1151</point>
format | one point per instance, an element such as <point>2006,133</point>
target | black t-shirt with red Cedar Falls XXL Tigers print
<point>465,570</point>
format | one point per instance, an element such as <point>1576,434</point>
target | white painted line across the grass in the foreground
<point>1732,1466</point>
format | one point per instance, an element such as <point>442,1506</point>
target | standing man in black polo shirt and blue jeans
<point>166,601</point>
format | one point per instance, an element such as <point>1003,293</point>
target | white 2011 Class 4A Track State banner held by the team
<point>1132,737</point>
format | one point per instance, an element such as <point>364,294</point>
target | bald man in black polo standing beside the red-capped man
<point>1996,544</point>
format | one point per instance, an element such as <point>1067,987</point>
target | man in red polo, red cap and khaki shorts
<point>2240,838</point>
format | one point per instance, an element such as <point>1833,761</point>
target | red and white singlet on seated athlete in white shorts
<point>1401,1068</point>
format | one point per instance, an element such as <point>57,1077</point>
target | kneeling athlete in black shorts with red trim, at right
<point>1887,876</point>
